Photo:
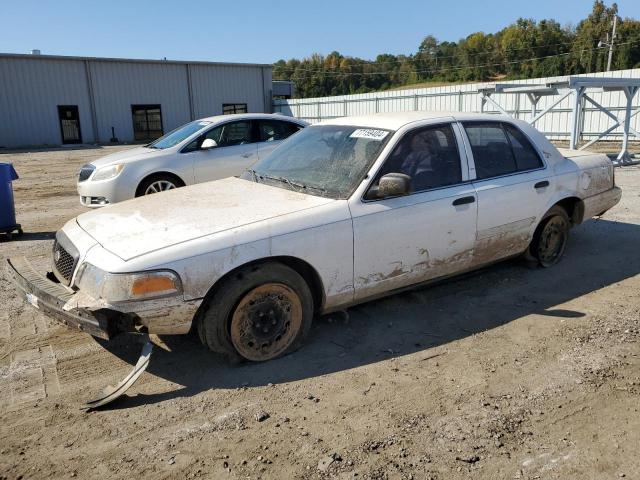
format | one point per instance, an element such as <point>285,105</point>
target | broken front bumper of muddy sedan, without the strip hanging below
<point>50,298</point>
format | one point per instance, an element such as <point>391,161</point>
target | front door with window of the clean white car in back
<point>236,151</point>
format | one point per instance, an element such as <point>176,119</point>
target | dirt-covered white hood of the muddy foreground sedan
<point>146,224</point>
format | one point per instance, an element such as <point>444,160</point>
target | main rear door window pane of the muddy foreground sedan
<point>491,149</point>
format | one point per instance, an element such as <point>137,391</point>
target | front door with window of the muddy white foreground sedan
<point>427,234</point>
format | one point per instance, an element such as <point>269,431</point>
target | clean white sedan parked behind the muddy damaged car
<point>206,149</point>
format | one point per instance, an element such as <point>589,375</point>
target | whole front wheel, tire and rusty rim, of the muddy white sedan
<point>262,312</point>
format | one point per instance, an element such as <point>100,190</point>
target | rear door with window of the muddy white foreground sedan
<point>513,185</point>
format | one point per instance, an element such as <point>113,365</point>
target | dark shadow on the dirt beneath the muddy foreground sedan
<point>600,253</point>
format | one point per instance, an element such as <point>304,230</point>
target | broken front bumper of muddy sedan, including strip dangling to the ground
<point>50,298</point>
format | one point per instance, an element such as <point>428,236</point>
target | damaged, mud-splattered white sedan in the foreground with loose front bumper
<point>345,211</point>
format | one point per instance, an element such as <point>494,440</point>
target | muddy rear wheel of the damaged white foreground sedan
<point>550,238</point>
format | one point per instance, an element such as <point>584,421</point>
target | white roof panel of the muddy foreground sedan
<point>397,120</point>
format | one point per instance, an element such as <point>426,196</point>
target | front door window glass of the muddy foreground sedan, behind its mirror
<point>429,156</point>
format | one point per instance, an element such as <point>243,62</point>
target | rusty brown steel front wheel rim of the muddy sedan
<point>266,322</point>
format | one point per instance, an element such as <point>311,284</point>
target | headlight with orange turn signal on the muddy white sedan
<point>127,287</point>
